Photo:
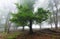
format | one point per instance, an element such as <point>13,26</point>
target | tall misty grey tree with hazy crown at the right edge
<point>53,4</point>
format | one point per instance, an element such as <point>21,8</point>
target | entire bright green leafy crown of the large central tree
<point>25,14</point>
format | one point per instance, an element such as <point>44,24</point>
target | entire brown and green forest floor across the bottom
<point>42,34</point>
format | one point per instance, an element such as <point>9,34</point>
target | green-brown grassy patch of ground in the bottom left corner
<point>11,35</point>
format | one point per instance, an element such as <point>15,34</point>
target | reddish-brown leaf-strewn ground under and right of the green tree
<point>42,34</point>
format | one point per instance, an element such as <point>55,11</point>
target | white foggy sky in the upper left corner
<point>5,7</point>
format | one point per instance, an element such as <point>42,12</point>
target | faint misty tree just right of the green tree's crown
<point>50,7</point>
